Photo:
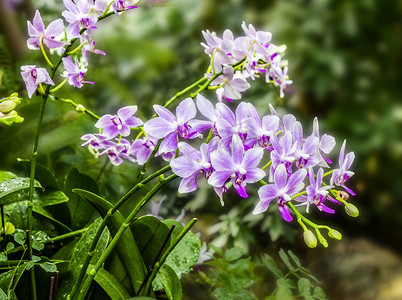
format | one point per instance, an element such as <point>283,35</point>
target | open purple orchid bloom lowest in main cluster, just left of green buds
<point>283,189</point>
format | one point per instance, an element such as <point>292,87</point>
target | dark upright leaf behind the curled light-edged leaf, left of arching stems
<point>81,211</point>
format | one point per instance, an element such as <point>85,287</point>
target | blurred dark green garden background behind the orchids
<point>345,61</point>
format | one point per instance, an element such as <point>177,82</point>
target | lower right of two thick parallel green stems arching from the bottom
<point>85,287</point>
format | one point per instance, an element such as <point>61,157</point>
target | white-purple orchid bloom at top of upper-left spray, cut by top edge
<point>80,15</point>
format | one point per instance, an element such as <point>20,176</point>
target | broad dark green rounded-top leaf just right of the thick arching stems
<point>150,234</point>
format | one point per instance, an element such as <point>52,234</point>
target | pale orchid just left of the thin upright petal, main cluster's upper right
<point>306,149</point>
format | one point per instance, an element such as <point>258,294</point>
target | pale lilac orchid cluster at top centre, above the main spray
<point>258,57</point>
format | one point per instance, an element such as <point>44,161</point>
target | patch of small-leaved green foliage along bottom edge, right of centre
<point>231,275</point>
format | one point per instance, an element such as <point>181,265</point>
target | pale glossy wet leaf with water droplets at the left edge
<point>15,190</point>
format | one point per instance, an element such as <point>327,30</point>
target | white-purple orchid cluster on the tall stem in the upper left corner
<point>82,16</point>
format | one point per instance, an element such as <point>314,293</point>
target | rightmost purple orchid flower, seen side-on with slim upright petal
<point>340,176</point>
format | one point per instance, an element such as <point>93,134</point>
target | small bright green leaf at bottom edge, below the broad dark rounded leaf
<point>167,278</point>
